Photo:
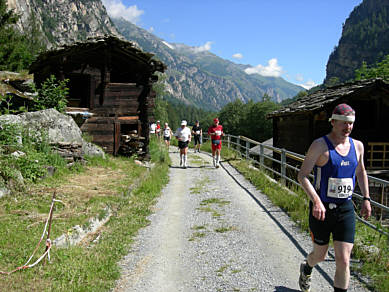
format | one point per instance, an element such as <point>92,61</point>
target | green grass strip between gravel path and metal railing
<point>371,249</point>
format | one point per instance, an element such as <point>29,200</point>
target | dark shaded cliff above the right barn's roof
<point>365,37</point>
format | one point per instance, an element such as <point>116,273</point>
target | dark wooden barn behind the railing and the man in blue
<point>298,124</point>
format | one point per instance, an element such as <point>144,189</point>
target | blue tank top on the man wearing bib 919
<point>338,166</point>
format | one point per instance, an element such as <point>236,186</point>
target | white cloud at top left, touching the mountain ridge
<point>117,9</point>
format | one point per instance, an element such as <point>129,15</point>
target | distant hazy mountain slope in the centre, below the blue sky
<point>202,78</point>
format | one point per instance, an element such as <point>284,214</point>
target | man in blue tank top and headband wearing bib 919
<point>336,160</point>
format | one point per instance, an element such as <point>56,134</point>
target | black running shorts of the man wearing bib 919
<point>339,221</point>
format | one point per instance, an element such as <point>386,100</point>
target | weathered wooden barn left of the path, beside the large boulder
<point>110,85</point>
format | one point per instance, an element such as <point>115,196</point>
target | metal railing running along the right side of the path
<point>284,165</point>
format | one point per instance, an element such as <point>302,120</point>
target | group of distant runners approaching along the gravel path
<point>184,136</point>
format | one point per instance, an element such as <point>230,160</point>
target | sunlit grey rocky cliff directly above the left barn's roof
<point>64,21</point>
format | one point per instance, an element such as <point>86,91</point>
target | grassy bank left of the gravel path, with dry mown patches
<point>84,193</point>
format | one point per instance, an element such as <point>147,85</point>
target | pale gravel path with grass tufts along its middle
<point>213,231</point>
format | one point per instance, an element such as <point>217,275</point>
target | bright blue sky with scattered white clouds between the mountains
<point>290,39</point>
